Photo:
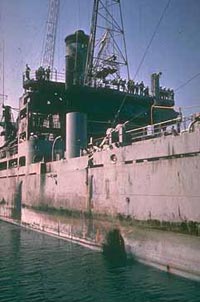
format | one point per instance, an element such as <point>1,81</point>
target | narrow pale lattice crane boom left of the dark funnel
<point>50,37</point>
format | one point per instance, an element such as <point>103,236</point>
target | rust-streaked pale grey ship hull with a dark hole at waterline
<point>149,191</point>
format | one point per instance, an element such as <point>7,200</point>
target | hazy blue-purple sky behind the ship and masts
<point>175,49</point>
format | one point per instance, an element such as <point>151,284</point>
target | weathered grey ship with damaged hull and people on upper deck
<point>104,162</point>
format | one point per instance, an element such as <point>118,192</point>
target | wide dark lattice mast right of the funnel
<point>107,55</point>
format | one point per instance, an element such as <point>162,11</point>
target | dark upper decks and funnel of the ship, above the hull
<point>46,102</point>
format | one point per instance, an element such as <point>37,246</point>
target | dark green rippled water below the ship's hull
<point>36,267</point>
